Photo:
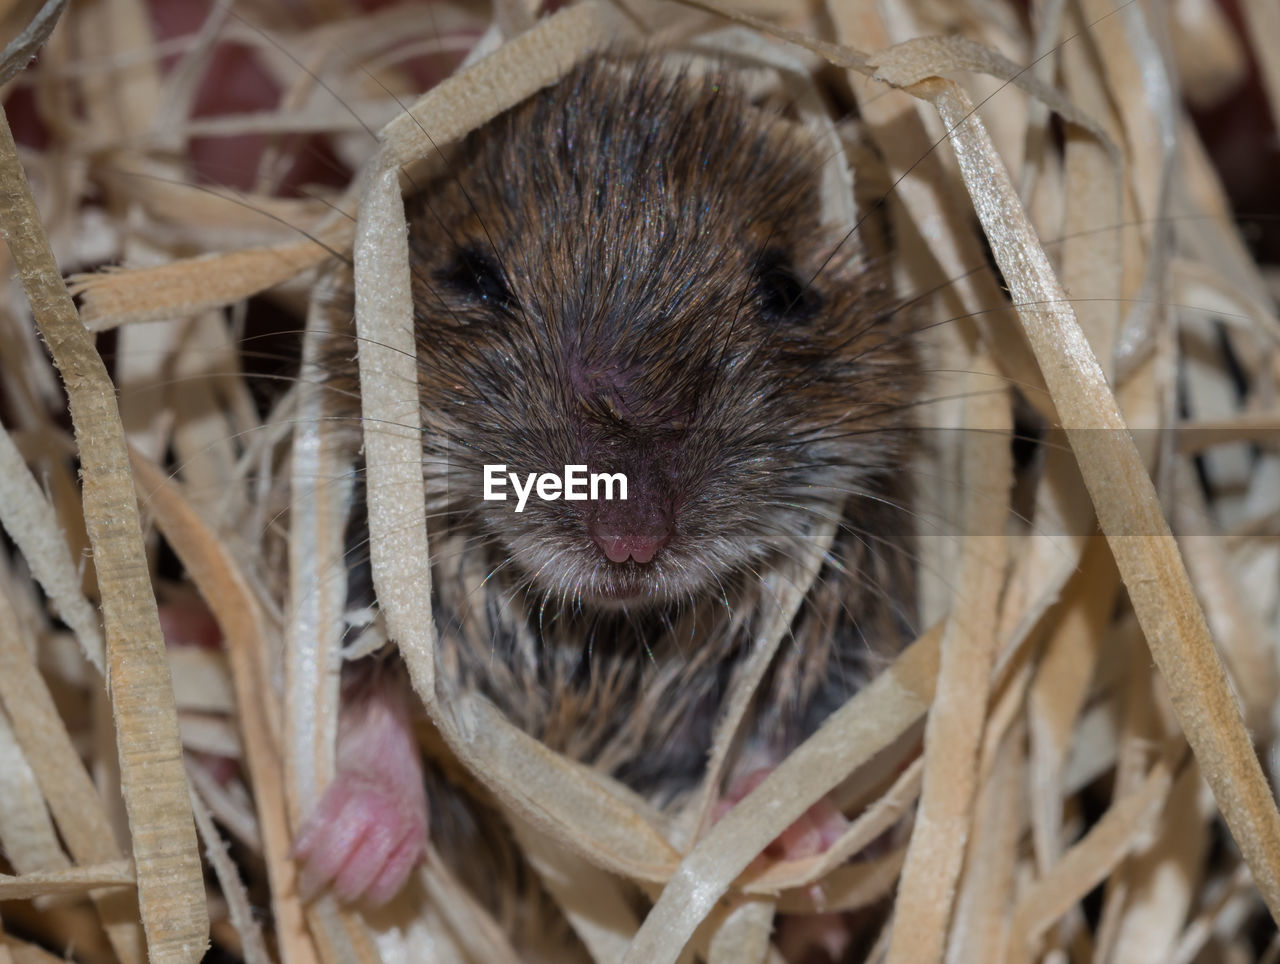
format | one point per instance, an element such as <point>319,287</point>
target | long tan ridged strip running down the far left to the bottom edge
<point>171,880</point>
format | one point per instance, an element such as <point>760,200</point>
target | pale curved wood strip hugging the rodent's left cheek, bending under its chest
<point>534,783</point>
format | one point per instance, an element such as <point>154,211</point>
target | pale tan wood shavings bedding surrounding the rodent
<point>1091,714</point>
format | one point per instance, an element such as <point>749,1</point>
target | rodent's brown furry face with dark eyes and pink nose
<point>629,273</point>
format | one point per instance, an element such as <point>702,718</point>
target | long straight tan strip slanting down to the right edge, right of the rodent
<point>1126,501</point>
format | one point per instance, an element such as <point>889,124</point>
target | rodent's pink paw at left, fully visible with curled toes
<point>369,830</point>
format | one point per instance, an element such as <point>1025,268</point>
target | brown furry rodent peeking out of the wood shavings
<point>630,271</point>
